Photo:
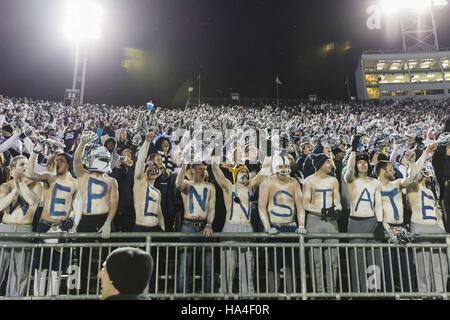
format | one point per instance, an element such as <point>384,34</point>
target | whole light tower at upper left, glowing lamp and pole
<point>82,23</point>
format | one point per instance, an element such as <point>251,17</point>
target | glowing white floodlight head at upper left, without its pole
<point>82,20</point>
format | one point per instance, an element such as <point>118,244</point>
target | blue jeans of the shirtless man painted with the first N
<point>186,258</point>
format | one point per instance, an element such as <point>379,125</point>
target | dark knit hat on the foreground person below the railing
<point>129,269</point>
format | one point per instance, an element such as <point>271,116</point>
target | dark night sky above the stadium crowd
<point>238,45</point>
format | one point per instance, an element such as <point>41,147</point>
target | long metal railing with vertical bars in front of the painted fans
<point>230,266</point>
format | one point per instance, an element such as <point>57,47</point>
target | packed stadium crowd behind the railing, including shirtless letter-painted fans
<point>327,167</point>
